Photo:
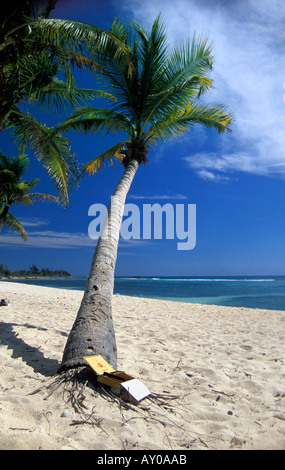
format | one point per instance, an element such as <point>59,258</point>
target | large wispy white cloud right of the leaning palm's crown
<point>249,74</point>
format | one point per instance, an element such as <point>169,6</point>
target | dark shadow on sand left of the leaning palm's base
<point>32,356</point>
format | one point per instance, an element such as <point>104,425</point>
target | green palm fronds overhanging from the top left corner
<point>33,50</point>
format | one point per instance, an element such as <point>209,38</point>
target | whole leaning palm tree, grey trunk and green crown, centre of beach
<point>157,101</point>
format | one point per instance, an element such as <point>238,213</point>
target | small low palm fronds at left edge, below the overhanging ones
<point>13,190</point>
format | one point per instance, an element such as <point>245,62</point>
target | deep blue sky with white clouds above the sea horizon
<point>236,180</point>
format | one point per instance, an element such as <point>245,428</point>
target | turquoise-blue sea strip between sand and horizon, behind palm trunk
<point>252,292</point>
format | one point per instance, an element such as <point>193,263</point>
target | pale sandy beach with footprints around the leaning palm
<point>225,366</point>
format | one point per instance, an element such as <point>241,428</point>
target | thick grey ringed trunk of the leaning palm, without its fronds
<point>93,330</point>
